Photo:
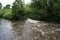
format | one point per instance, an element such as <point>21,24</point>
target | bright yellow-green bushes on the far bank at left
<point>6,13</point>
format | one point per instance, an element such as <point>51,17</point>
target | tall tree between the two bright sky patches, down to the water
<point>18,9</point>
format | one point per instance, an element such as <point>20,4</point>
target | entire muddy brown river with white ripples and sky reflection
<point>28,30</point>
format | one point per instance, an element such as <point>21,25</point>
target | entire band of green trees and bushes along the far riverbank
<point>44,10</point>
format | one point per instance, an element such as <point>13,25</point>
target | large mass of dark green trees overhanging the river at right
<point>45,10</point>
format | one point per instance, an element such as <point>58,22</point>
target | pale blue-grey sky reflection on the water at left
<point>5,30</point>
